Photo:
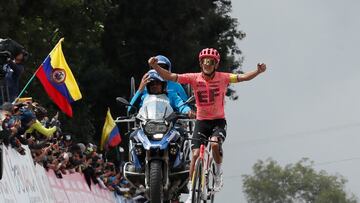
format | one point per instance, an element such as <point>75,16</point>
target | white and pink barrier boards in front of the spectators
<point>23,181</point>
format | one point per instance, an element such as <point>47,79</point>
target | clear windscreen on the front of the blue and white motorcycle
<point>155,107</point>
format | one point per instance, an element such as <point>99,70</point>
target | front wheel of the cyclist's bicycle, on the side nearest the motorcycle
<point>196,182</point>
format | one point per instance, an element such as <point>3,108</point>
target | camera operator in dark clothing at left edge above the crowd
<point>12,57</point>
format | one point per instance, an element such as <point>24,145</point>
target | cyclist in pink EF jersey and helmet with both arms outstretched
<point>209,87</point>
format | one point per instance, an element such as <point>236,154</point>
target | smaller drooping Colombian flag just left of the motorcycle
<point>110,136</point>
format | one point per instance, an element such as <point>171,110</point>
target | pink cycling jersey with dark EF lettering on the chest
<point>209,94</point>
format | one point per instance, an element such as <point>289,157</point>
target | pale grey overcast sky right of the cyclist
<point>307,103</point>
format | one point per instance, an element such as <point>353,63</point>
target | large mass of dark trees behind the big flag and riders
<point>109,41</point>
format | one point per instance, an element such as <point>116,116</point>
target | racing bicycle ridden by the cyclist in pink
<point>204,172</point>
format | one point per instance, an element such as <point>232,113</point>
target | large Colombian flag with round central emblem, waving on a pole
<point>58,80</point>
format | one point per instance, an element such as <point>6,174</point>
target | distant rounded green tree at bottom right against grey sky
<point>272,183</point>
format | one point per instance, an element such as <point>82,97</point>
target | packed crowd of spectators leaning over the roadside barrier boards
<point>27,123</point>
